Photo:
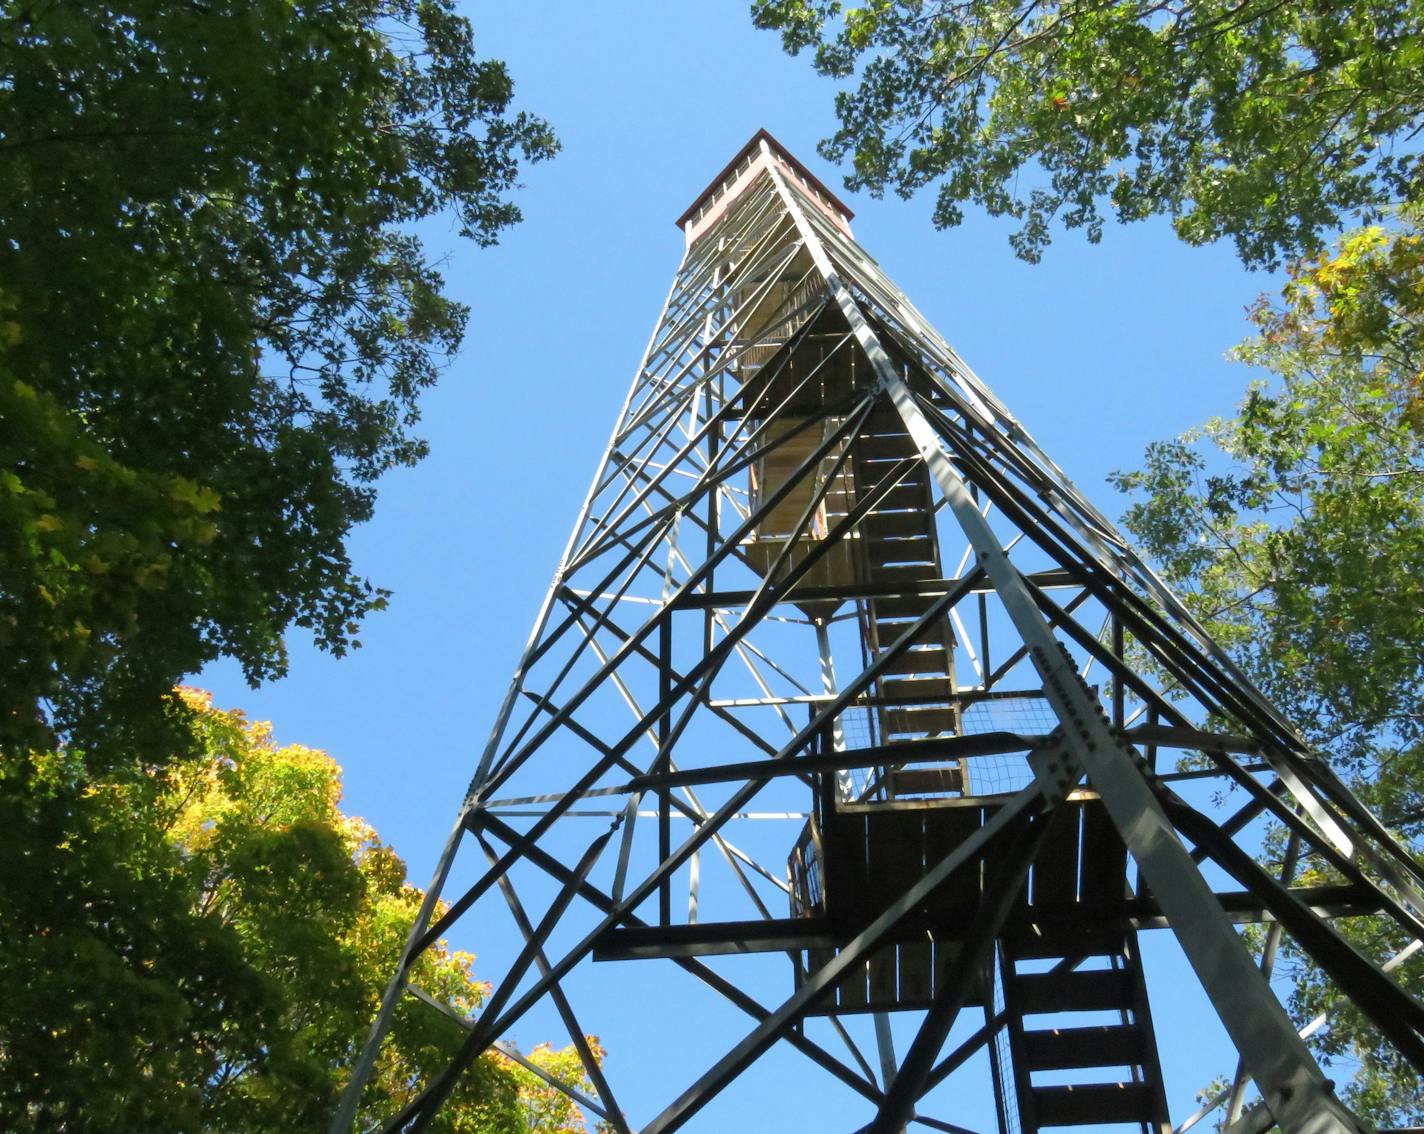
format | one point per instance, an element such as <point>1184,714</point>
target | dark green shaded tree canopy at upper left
<point>214,330</point>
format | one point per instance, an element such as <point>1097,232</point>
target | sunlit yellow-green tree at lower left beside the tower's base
<point>201,950</point>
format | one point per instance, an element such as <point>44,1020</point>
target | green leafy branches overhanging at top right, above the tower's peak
<point>1264,122</point>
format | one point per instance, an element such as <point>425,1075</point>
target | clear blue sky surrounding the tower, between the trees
<point>1099,351</point>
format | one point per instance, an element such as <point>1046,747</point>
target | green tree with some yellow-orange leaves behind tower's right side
<point>1301,543</point>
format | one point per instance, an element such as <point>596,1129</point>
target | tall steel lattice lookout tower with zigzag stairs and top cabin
<point>824,572</point>
